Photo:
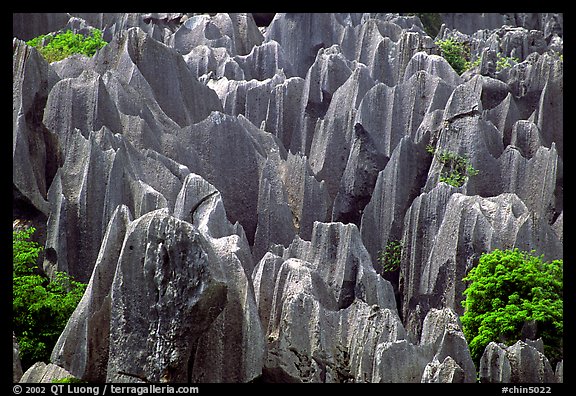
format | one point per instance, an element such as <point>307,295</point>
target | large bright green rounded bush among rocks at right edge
<point>507,290</point>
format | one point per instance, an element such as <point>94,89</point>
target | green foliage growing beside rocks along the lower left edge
<point>41,308</point>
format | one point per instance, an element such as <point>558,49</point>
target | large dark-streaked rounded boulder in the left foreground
<point>164,278</point>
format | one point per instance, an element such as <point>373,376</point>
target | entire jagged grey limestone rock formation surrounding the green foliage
<point>225,189</point>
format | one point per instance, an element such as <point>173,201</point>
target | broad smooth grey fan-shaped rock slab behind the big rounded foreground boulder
<point>229,154</point>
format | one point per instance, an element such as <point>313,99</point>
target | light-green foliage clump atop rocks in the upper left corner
<point>62,45</point>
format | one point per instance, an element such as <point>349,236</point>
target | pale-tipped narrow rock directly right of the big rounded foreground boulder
<point>232,349</point>
